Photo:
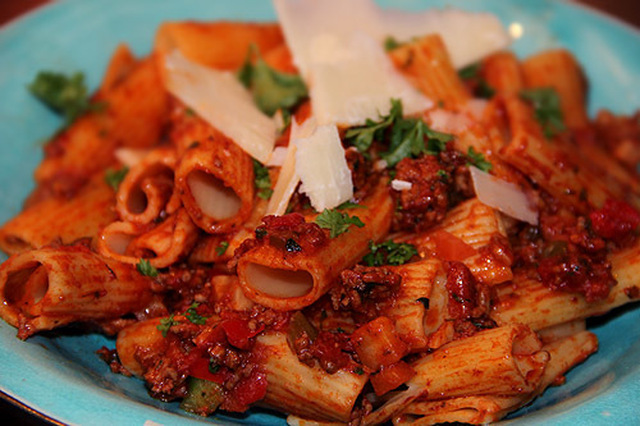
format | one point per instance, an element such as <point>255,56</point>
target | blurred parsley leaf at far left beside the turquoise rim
<point>66,95</point>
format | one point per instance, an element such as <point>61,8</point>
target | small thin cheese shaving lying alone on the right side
<point>503,196</point>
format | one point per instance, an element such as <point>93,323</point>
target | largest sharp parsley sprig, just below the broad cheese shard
<point>406,137</point>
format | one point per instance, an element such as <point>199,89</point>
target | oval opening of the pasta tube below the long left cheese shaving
<point>212,196</point>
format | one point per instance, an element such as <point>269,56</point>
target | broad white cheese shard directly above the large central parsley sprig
<point>353,80</point>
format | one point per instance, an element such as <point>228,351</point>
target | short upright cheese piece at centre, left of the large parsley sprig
<point>323,169</point>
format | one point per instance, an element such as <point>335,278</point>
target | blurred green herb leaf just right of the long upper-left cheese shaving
<point>271,89</point>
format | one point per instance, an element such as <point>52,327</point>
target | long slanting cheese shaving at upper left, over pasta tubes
<point>220,99</point>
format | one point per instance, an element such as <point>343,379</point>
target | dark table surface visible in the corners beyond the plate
<point>10,414</point>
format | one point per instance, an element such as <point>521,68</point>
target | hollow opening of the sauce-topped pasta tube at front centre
<point>278,282</point>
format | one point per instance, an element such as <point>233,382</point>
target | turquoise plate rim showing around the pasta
<point>61,377</point>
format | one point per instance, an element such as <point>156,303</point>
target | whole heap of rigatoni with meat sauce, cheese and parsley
<point>386,219</point>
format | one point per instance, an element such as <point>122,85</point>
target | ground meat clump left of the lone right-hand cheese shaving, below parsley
<point>437,184</point>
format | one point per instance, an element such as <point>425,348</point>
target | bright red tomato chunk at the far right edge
<point>615,220</point>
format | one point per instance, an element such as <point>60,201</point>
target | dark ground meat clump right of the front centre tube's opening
<point>365,291</point>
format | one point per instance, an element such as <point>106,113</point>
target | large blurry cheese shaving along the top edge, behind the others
<point>468,36</point>
